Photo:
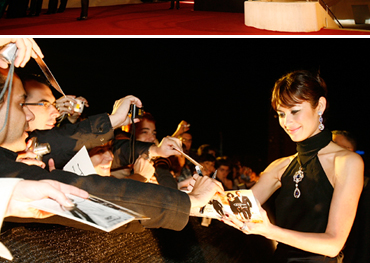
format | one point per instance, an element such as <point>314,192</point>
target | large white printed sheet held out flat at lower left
<point>92,211</point>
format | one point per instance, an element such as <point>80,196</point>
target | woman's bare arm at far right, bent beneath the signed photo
<point>348,184</point>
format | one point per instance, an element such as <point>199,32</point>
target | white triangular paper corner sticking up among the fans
<point>80,163</point>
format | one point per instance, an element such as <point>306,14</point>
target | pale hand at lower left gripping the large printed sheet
<point>26,191</point>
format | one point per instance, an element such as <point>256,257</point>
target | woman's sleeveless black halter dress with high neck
<point>303,205</point>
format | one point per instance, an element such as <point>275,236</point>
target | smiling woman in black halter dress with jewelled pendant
<point>319,186</point>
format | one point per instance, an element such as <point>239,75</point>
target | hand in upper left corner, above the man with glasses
<point>27,48</point>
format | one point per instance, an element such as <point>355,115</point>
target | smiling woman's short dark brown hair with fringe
<point>296,87</point>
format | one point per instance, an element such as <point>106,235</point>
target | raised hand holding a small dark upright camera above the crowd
<point>121,108</point>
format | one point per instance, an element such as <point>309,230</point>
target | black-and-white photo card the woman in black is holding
<point>241,203</point>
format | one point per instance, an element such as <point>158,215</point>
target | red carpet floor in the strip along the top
<point>144,19</point>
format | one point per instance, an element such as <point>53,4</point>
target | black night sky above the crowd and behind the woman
<point>221,86</point>
